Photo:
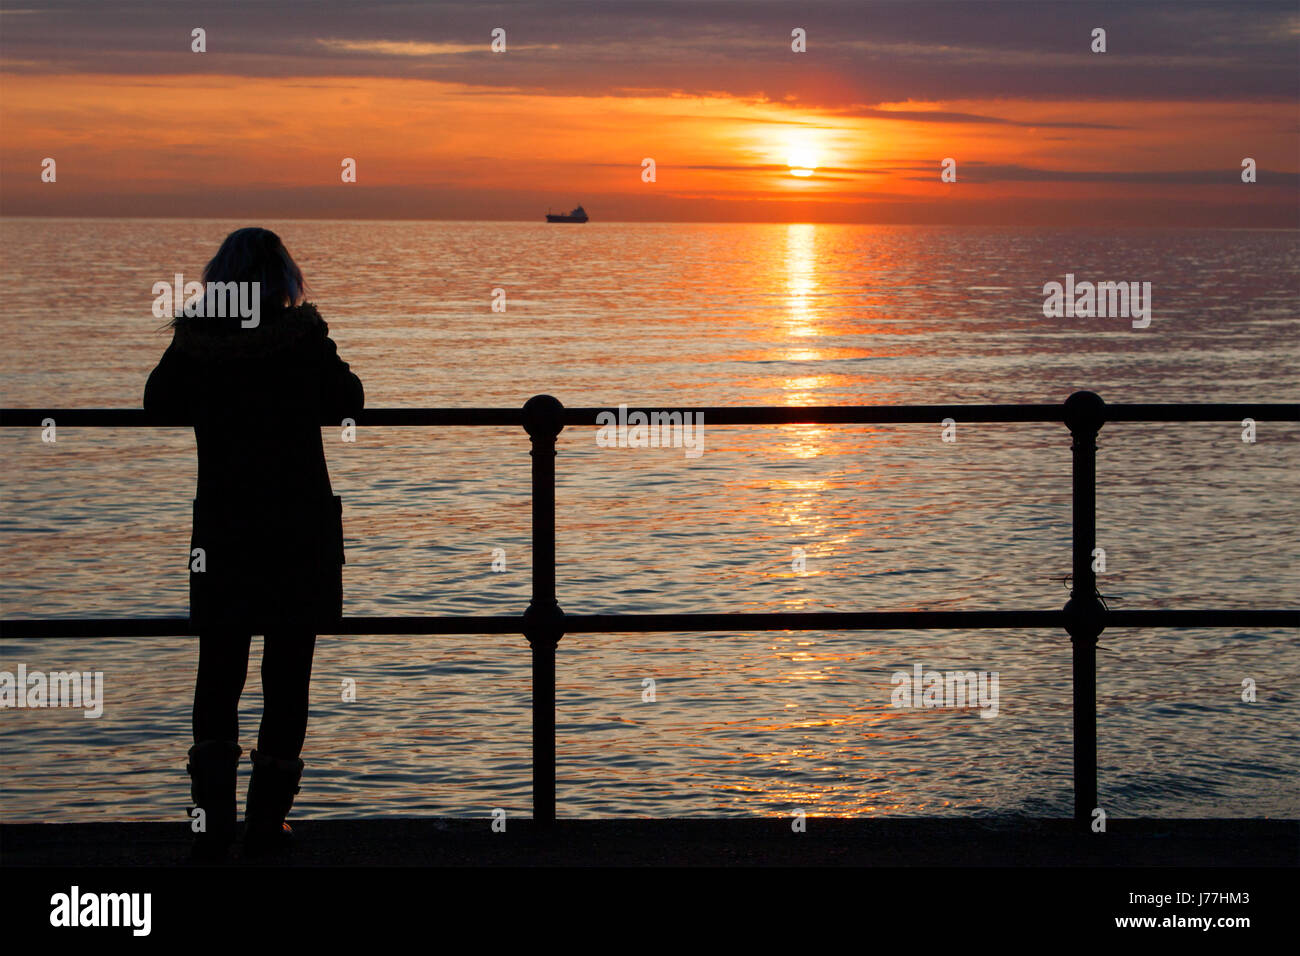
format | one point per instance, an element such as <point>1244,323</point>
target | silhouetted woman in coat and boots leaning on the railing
<point>267,548</point>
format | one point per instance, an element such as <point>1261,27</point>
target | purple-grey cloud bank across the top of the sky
<point>1230,51</point>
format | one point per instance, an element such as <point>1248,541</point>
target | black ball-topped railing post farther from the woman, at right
<point>1085,414</point>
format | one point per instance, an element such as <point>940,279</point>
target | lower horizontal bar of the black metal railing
<point>648,624</point>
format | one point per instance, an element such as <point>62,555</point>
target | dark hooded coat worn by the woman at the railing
<point>265,514</point>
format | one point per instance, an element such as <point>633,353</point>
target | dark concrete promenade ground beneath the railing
<point>925,842</point>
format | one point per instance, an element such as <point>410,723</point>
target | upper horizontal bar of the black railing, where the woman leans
<point>713,416</point>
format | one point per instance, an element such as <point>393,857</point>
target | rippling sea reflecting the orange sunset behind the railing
<point>779,518</point>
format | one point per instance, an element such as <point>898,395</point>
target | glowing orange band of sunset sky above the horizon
<point>222,145</point>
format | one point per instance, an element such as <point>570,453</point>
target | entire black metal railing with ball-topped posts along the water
<point>544,624</point>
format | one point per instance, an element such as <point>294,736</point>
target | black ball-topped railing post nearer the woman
<point>544,621</point>
